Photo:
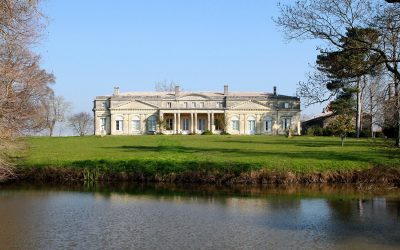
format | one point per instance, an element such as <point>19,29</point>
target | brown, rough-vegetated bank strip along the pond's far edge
<point>375,175</point>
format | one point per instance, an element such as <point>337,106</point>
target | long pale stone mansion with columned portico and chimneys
<point>240,113</point>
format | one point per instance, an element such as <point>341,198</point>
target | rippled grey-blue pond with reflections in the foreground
<point>129,216</point>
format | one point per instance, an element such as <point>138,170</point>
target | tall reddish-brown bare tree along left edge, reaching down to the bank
<point>23,84</point>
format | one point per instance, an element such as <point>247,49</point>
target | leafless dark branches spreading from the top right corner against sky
<point>329,20</point>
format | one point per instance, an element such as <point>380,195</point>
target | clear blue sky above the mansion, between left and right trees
<point>92,46</point>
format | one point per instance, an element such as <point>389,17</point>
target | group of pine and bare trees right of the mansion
<point>357,70</point>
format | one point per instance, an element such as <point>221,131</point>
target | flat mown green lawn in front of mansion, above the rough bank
<point>299,154</point>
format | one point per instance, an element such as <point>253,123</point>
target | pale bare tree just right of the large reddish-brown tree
<point>55,110</point>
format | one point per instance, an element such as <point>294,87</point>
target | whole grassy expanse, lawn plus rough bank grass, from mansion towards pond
<point>205,157</point>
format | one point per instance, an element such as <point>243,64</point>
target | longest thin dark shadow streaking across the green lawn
<point>359,156</point>
